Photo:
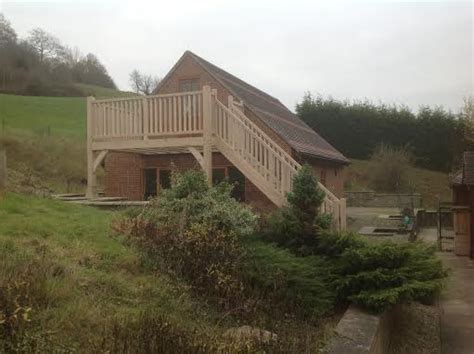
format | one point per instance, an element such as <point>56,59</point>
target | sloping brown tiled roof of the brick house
<point>275,115</point>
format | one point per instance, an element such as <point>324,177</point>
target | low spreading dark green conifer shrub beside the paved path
<point>380,275</point>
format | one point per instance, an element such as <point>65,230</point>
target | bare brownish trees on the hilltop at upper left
<point>41,65</point>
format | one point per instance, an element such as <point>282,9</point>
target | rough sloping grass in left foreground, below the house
<point>86,279</point>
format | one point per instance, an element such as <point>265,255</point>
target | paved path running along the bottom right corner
<point>457,306</point>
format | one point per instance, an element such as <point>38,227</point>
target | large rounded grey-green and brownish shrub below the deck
<point>193,230</point>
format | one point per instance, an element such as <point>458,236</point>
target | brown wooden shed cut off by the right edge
<point>463,204</point>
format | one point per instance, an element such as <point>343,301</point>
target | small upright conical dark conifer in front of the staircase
<point>295,225</point>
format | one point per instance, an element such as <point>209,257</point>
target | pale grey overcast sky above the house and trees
<point>413,53</point>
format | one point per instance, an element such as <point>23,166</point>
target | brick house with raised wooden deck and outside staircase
<point>202,116</point>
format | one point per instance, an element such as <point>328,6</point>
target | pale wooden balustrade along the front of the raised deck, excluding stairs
<point>147,117</point>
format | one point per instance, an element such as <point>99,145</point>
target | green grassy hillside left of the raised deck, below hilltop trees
<point>45,139</point>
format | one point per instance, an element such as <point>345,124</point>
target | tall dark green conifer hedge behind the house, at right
<point>435,137</point>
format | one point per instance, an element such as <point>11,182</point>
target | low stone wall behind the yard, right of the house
<point>383,200</point>
